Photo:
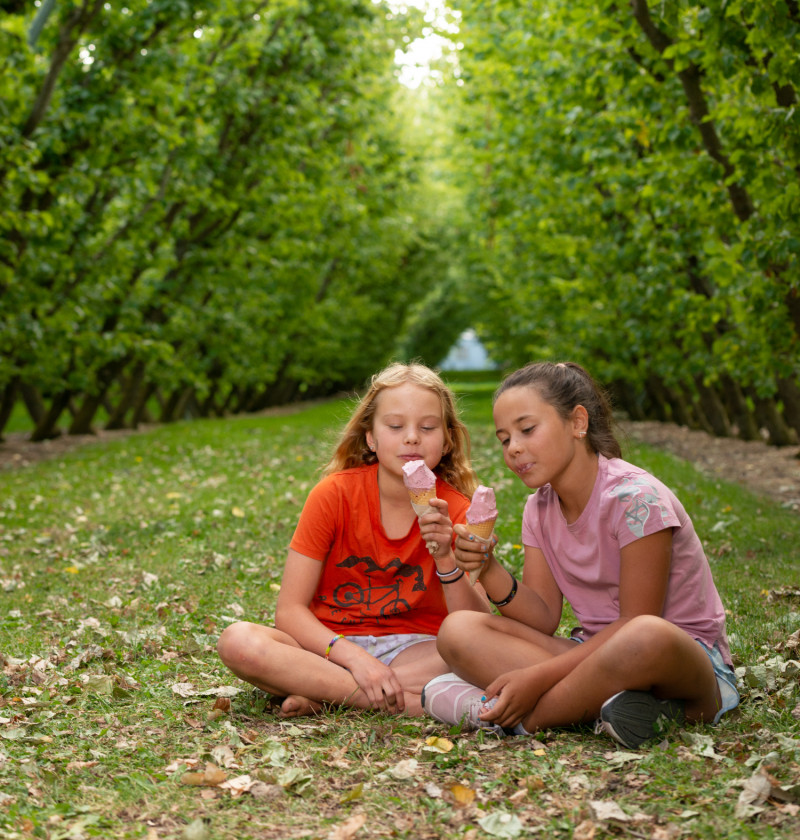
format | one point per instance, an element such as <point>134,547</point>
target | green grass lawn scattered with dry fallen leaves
<point>120,564</point>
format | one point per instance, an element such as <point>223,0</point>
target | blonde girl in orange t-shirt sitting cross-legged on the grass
<point>361,597</point>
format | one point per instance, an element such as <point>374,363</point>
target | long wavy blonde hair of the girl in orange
<point>352,449</point>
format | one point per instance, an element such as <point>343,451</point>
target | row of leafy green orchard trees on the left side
<point>205,207</point>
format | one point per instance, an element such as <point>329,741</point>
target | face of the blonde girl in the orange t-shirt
<point>407,426</point>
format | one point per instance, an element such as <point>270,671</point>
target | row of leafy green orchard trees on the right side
<point>634,174</point>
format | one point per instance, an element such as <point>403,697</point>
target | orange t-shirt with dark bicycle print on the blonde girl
<point>370,585</point>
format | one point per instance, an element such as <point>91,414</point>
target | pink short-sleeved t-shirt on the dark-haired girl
<point>626,504</point>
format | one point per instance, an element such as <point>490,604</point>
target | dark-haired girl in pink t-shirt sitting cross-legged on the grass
<point>616,544</point>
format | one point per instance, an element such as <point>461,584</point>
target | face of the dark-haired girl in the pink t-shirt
<point>538,444</point>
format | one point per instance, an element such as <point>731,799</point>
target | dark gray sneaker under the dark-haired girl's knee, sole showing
<point>633,717</point>
